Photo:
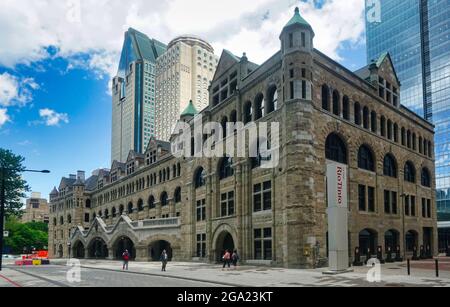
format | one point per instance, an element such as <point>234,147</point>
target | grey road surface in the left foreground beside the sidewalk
<point>56,276</point>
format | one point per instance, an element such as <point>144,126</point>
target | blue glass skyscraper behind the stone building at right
<point>417,35</point>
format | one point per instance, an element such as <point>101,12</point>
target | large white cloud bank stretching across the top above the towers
<point>96,27</point>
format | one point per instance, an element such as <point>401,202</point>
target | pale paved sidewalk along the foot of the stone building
<point>393,275</point>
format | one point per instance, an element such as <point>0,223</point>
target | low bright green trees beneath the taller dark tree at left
<point>25,236</point>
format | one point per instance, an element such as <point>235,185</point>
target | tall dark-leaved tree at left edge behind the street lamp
<point>15,185</point>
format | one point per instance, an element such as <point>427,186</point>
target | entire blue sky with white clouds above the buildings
<point>57,58</point>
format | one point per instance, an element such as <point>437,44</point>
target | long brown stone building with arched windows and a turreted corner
<point>198,207</point>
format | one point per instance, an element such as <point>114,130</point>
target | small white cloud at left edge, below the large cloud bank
<point>15,91</point>
